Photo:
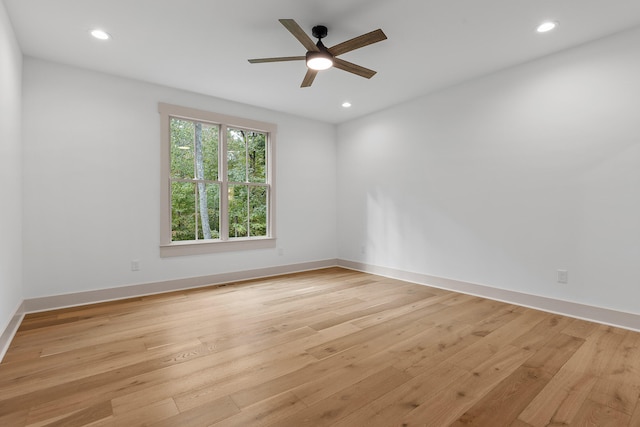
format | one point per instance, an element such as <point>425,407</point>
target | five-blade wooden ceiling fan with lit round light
<point>319,57</point>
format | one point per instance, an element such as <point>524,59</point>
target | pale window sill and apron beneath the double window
<point>207,247</point>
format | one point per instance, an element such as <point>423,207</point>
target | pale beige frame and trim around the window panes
<point>169,248</point>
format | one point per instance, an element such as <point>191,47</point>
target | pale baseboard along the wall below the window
<point>34,305</point>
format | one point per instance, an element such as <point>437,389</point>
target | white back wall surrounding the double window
<point>91,186</point>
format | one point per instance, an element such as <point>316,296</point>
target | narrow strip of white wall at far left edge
<point>10,172</point>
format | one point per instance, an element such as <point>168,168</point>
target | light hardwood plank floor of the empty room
<point>327,347</point>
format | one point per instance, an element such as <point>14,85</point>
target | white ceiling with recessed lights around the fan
<point>203,45</point>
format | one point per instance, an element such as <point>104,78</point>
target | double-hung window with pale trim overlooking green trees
<point>217,182</point>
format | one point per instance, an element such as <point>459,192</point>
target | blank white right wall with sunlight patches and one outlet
<point>505,179</point>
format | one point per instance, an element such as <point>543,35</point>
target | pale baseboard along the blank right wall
<point>567,308</point>
